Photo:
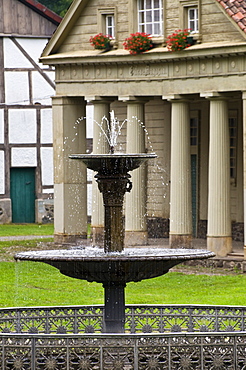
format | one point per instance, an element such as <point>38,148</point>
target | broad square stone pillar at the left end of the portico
<point>70,176</point>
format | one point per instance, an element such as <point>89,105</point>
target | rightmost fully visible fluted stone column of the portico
<point>219,218</point>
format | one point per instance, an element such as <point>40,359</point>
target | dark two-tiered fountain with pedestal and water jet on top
<point>114,266</point>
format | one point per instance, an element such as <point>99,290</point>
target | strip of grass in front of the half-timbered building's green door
<point>26,229</point>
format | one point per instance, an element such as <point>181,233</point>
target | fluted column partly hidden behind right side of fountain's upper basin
<point>135,209</point>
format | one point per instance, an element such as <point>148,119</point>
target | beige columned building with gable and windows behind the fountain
<point>192,103</point>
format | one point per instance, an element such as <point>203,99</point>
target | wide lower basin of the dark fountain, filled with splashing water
<point>133,264</point>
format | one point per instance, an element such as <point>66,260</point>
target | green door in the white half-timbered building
<point>22,193</point>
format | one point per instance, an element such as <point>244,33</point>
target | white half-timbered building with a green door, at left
<point>26,154</point>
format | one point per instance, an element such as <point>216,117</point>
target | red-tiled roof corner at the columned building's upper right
<point>236,9</point>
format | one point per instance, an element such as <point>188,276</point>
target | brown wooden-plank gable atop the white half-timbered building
<point>19,17</point>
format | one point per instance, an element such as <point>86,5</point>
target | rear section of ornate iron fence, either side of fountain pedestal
<point>139,319</point>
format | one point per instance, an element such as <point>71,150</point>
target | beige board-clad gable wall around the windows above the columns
<point>82,21</point>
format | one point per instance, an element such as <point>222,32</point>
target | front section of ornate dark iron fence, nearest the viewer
<point>170,351</point>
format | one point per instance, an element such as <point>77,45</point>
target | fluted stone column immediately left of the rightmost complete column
<point>180,190</point>
